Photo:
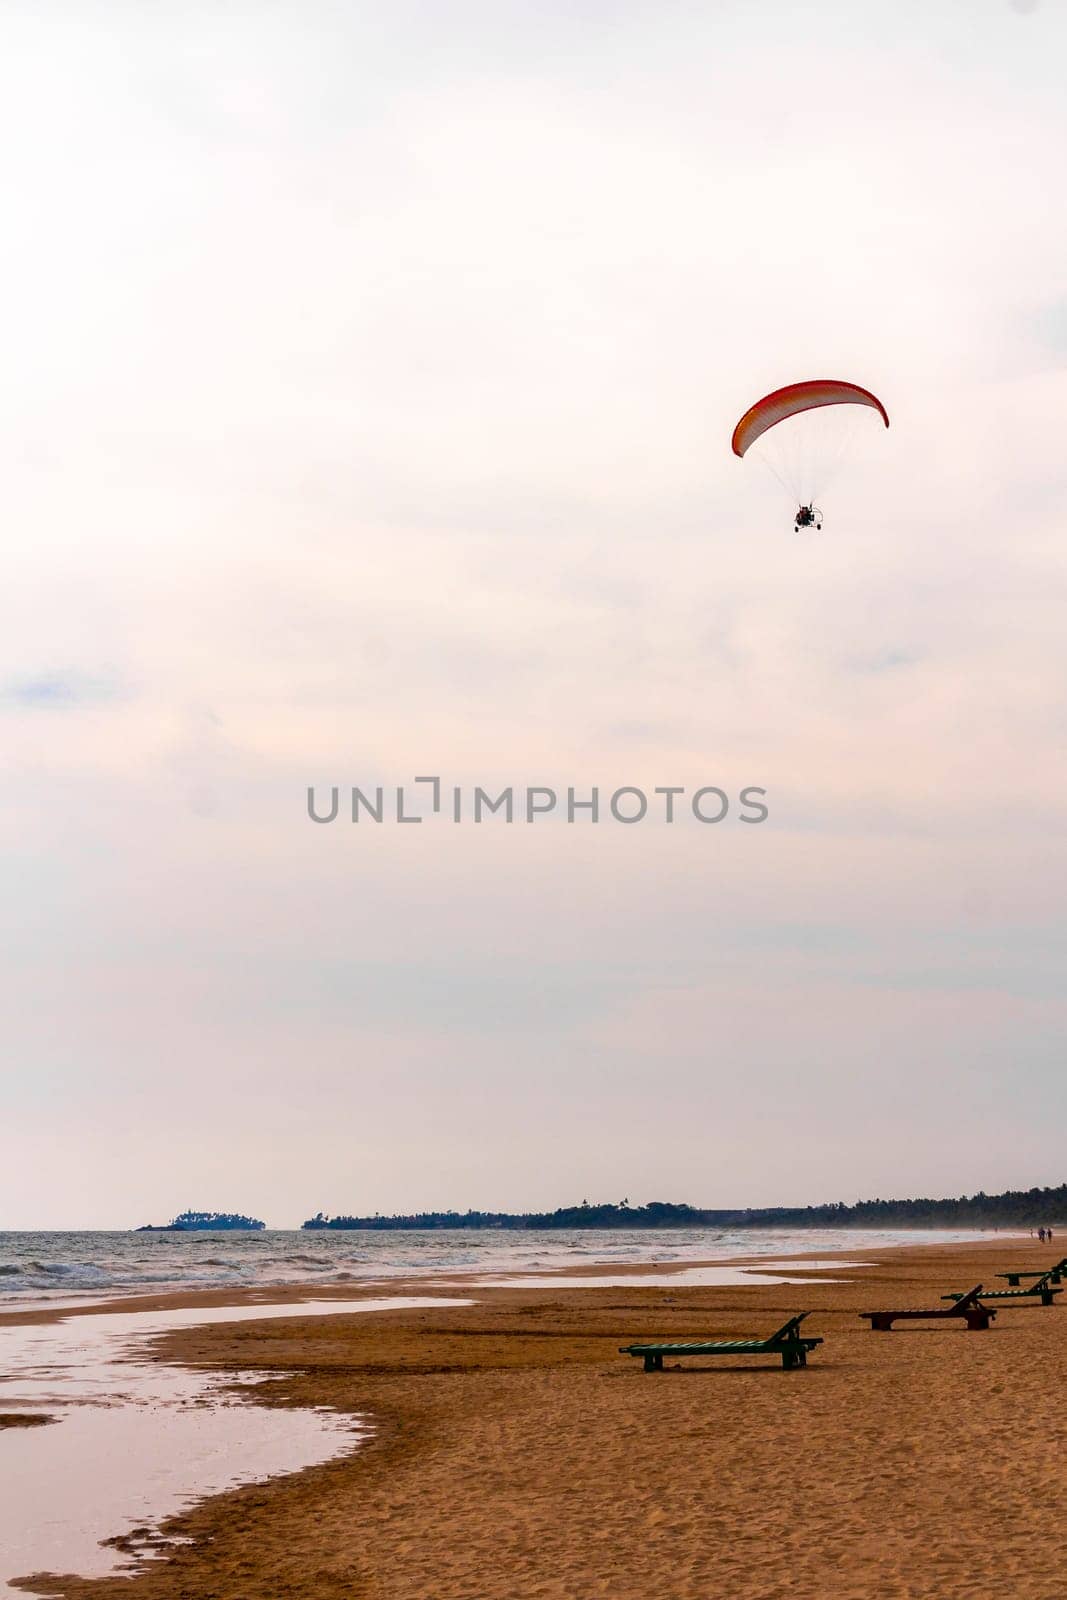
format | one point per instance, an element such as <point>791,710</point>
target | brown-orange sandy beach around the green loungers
<point>519,1457</point>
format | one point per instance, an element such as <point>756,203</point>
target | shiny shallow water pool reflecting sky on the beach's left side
<point>169,1434</point>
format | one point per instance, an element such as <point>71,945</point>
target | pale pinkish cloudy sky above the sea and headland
<point>370,380</point>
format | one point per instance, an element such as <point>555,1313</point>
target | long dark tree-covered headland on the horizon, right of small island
<point>1013,1209</point>
